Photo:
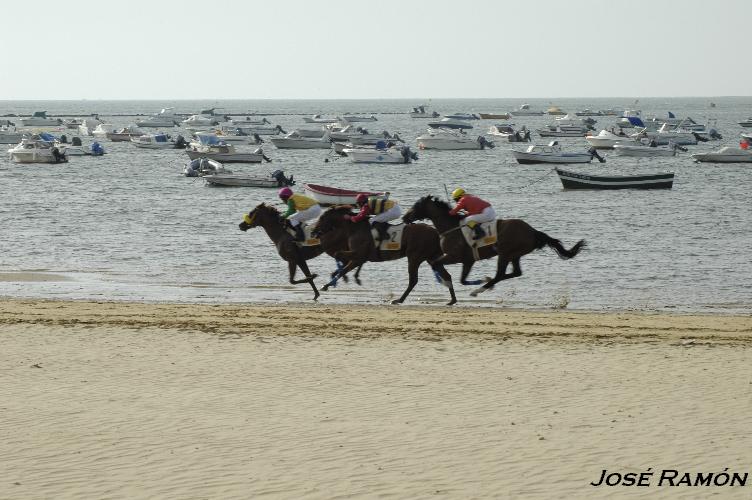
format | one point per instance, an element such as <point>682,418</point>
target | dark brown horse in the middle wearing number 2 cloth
<point>352,242</point>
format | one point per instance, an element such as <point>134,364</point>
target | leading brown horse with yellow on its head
<point>296,256</point>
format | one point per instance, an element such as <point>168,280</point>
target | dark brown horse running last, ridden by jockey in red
<point>515,238</point>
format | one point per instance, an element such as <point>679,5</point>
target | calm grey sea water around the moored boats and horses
<point>128,226</point>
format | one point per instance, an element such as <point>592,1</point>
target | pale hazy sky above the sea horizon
<point>325,49</point>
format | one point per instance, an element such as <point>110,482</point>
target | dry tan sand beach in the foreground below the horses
<point>130,400</point>
